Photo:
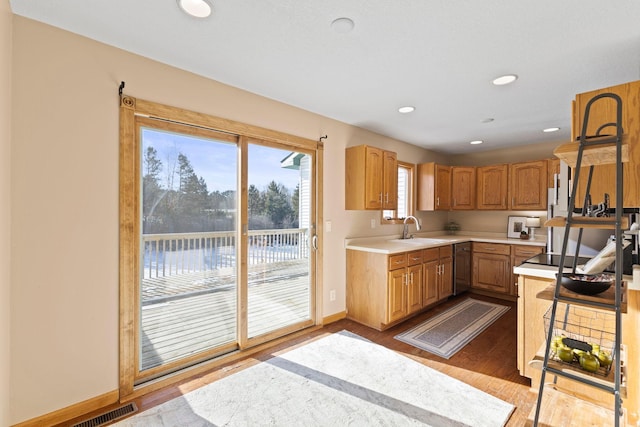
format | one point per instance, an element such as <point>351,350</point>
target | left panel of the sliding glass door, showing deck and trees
<point>188,284</point>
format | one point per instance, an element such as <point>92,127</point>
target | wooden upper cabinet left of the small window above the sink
<point>371,178</point>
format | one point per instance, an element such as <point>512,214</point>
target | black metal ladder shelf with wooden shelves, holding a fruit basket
<point>588,151</point>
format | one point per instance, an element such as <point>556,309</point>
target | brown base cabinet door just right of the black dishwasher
<point>492,272</point>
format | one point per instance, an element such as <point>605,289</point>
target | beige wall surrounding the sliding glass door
<point>64,335</point>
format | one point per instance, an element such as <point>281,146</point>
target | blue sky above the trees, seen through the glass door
<point>216,161</point>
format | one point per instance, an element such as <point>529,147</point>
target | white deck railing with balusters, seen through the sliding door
<point>180,253</point>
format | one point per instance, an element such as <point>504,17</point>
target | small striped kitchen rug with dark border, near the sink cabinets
<point>446,333</point>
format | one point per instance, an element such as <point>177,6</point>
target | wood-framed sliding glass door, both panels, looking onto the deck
<point>226,258</point>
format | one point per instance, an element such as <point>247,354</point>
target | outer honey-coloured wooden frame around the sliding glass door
<point>129,264</point>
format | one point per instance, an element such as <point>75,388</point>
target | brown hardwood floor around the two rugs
<point>487,363</point>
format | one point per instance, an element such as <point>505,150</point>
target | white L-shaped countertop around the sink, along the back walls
<point>390,245</point>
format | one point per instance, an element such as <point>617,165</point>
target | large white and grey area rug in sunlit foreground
<point>338,380</point>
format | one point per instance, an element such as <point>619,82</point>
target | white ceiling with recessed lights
<point>439,56</point>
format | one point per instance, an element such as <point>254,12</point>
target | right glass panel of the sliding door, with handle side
<point>279,262</point>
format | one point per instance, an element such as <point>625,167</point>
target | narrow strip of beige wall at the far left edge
<point>6,22</point>
